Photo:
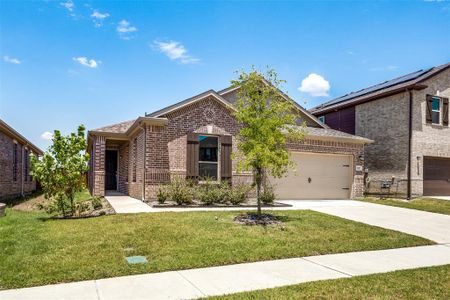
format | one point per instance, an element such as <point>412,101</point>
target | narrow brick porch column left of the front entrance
<point>99,147</point>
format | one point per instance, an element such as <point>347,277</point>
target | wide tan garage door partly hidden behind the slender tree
<point>316,176</point>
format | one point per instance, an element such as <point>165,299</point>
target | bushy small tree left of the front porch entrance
<point>60,171</point>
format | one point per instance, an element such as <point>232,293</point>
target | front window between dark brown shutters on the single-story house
<point>208,165</point>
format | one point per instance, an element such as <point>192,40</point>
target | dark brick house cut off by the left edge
<point>15,150</point>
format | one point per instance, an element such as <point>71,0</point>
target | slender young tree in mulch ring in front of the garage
<point>268,121</point>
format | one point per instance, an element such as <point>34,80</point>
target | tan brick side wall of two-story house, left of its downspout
<point>386,122</point>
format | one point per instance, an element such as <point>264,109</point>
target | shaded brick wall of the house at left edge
<point>10,188</point>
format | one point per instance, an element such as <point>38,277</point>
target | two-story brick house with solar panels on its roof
<point>408,117</point>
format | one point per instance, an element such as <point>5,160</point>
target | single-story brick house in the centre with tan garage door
<point>195,138</point>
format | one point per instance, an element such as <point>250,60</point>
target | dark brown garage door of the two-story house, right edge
<point>436,176</point>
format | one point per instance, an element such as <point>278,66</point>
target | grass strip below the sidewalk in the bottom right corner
<point>425,283</point>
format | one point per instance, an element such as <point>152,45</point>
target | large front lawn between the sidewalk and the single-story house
<point>36,250</point>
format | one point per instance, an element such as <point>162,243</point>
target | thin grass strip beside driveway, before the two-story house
<point>426,204</point>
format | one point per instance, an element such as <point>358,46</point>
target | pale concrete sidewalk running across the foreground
<point>194,283</point>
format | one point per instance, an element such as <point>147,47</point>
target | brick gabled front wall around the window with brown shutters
<point>166,146</point>
